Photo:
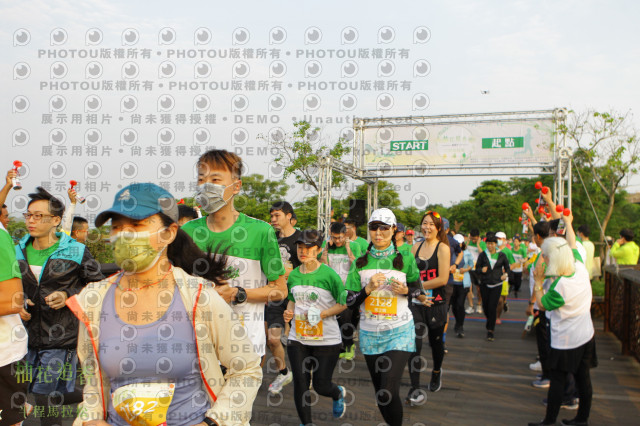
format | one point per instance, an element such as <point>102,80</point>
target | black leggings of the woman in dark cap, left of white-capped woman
<point>321,360</point>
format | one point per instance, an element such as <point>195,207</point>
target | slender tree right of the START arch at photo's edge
<point>607,151</point>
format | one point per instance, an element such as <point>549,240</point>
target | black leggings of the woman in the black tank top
<point>415,361</point>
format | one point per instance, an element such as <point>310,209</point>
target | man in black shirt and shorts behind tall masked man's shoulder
<point>281,213</point>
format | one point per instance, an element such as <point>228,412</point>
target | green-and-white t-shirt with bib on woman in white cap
<point>383,309</point>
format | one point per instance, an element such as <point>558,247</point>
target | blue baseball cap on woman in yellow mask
<point>139,201</point>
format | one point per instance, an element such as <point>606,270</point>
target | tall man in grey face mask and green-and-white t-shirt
<point>251,244</point>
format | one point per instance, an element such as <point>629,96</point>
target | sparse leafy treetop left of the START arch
<point>300,152</point>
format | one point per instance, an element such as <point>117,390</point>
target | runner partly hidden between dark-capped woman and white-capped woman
<point>339,253</point>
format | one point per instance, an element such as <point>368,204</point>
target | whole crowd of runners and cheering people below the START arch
<point>180,332</point>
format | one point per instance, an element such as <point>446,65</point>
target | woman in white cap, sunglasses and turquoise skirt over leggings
<point>381,284</point>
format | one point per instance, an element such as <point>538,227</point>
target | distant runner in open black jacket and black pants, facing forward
<point>492,267</point>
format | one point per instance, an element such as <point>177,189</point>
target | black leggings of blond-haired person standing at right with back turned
<point>557,390</point>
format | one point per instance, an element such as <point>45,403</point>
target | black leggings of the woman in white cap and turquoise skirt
<point>386,371</point>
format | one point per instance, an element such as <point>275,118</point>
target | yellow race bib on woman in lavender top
<point>144,404</point>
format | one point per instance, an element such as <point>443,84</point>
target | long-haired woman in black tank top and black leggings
<point>433,259</point>
